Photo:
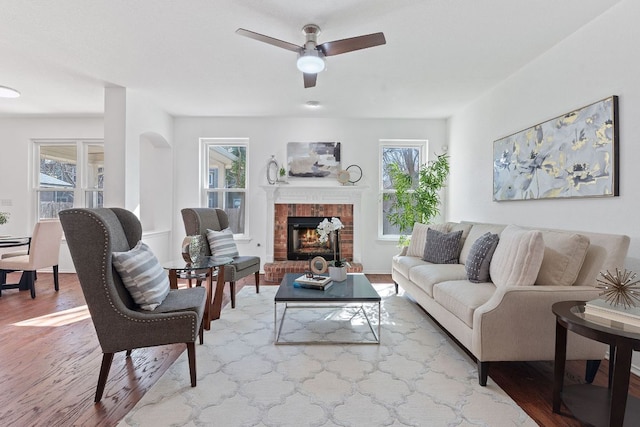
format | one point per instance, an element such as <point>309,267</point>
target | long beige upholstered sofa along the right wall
<point>510,321</point>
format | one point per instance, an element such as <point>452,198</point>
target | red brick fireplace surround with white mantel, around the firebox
<point>323,201</point>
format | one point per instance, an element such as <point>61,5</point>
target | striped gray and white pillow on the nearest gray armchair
<point>142,275</point>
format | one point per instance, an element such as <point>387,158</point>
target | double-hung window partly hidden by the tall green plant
<point>408,155</point>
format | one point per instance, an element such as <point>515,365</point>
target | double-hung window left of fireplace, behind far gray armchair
<point>224,181</point>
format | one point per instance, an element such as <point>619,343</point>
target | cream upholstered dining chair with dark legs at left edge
<point>43,252</point>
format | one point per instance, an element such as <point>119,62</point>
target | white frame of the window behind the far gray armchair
<point>205,144</point>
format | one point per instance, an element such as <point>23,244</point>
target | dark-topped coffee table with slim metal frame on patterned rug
<point>356,290</point>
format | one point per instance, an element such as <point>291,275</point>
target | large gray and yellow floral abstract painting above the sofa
<point>573,155</point>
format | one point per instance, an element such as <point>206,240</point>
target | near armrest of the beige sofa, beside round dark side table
<point>517,323</point>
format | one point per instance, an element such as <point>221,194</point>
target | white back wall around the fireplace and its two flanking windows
<point>267,136</point>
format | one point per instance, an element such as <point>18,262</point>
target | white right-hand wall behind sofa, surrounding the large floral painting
<point>595,62</point>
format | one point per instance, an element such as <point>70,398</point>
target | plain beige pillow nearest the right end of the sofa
<point>564,254</point>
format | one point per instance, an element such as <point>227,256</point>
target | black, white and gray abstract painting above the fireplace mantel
<point>313,159</point>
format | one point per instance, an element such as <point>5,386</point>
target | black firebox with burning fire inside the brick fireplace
<point>303,241</point>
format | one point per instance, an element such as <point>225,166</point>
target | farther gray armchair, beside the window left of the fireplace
<point>197,221</point>
